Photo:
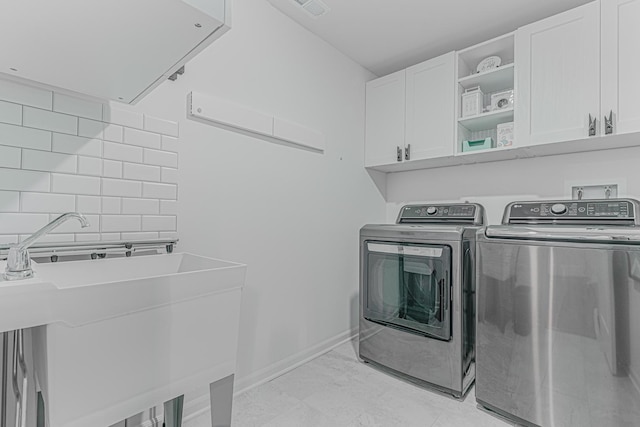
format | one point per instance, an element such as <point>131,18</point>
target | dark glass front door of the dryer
<point>408,286</point>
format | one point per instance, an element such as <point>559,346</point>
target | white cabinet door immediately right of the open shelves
<point>558,78</point>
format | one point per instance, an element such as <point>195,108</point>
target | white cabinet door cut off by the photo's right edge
<point>620,64</point>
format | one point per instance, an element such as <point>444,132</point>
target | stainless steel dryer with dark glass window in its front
<point>417,295</point>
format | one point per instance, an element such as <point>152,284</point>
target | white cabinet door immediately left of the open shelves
<point>430,108</point>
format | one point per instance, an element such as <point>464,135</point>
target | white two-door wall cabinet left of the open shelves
<point>410,114</point>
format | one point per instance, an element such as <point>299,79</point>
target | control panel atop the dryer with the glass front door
<point>463,212</point>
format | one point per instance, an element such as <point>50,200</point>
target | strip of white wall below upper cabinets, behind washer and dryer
<point>495,184</point>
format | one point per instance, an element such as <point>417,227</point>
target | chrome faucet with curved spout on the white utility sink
<point>18,260</point>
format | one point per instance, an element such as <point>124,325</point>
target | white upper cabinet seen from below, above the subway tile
<point>116,49</point>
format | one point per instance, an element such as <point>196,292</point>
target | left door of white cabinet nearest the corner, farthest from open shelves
<point>384,131</point>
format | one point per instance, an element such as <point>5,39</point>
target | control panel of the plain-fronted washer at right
<point>571,210</point>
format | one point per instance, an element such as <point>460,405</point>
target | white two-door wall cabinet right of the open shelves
<point>577,71</point>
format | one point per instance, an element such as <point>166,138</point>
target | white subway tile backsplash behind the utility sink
<point>59,153</point>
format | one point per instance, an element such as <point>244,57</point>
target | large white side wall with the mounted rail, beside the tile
<point>291,215</point>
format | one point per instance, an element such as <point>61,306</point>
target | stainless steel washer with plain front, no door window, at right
<point>558,322</point>
